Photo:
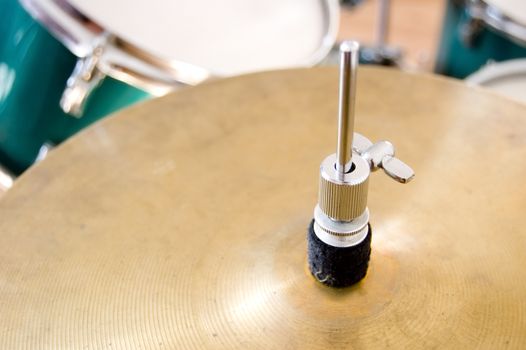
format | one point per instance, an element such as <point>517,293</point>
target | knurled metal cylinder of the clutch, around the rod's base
<point>343,199</point>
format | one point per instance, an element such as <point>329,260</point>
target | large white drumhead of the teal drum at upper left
<point>227,37</point>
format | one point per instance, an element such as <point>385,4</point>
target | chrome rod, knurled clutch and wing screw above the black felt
<point>341,217</point>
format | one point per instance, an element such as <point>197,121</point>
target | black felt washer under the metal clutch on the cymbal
<point>338,267</point>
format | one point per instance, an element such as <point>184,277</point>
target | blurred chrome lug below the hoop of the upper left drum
<point>85,78</point>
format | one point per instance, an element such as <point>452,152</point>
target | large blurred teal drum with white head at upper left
<point>66,63</point>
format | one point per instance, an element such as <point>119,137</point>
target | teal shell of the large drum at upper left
<point>34,68</point>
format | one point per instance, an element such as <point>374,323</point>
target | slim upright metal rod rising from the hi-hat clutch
<point>348,70</point>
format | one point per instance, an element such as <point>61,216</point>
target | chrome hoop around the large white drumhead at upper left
<point>161,74</point>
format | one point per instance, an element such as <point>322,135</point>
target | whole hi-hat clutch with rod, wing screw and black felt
<point>339,238</point>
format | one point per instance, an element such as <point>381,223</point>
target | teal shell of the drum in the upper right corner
<point>458,57</point>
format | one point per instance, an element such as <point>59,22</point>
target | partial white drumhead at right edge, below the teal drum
<point>507,78</point>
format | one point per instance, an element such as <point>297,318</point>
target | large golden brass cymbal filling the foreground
<point>181,222</point>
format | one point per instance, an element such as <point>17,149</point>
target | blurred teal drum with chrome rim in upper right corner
<point>476,31</point>
